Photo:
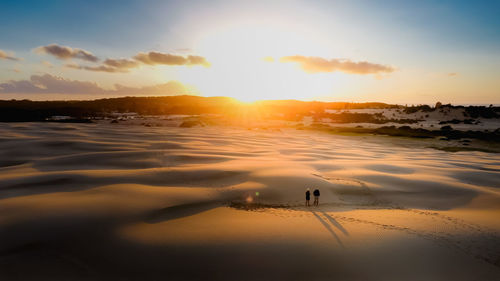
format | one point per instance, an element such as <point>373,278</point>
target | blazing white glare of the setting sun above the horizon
<point>245,65</point>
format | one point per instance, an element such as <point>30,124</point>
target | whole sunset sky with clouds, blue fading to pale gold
<point>406,52</point>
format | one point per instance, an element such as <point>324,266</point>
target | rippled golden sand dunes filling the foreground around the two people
<point>123,202</point>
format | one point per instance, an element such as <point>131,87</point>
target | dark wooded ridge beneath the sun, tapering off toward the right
<point>27,110</point>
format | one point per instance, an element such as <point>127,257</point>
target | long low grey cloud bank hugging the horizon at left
<point>48,84</point>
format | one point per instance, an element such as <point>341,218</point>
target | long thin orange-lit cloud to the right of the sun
<point>317,64</point>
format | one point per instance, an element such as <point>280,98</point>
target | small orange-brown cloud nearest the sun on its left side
<point>153,58</point>
